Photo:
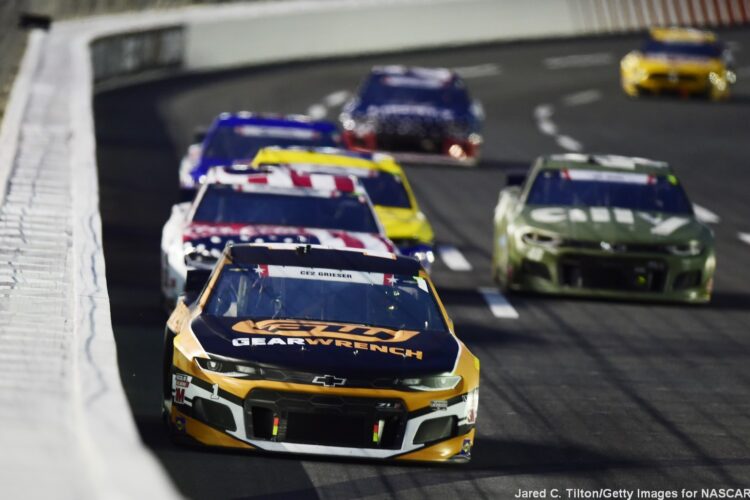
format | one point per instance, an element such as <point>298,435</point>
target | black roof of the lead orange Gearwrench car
<point>284,254</point>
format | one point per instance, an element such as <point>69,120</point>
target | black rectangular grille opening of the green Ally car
<point>635,275</point>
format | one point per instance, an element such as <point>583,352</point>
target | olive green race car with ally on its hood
<point>603,226</point>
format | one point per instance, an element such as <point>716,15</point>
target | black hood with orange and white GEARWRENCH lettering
<point>343,350</point>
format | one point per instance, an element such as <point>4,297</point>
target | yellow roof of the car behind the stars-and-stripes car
<point>326,157</point>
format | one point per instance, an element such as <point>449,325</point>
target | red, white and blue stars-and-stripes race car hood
<point>216,236</point>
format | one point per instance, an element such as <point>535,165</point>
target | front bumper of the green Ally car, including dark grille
<point>634,276</point>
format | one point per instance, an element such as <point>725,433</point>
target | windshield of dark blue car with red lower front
<point>394,90</point>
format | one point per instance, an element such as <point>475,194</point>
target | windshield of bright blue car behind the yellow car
<point>235,142</point>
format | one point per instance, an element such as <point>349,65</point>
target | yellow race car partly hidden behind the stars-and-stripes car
<point>385,183</point>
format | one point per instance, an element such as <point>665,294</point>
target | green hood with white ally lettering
<point>601,224</point>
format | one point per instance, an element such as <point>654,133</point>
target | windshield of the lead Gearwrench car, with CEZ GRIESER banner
<point>362,298</point>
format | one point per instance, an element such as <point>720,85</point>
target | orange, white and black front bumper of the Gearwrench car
<point>296,419</point>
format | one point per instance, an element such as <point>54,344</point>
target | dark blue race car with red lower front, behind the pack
<point>410,112</point>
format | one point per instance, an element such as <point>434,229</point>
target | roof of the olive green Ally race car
<point>606,163</point>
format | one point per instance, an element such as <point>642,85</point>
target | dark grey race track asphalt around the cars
<point>574,393</point>
